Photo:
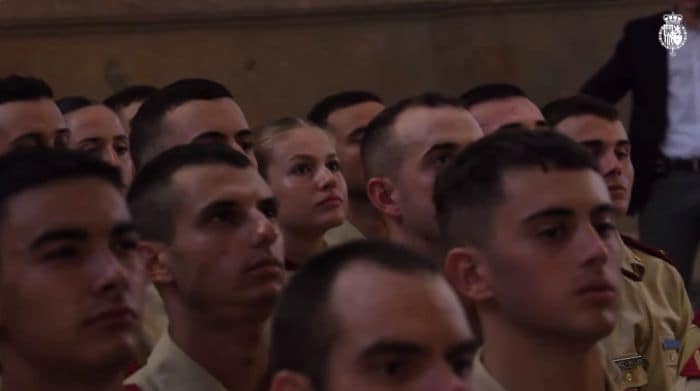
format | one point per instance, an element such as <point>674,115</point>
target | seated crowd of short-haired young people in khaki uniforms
<point>167,241</point>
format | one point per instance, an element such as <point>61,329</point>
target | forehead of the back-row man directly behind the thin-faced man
<point>195,117</point>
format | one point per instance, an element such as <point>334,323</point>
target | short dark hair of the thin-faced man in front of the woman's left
<point>151,199</point>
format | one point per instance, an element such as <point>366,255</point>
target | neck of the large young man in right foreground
<point>538,360</point>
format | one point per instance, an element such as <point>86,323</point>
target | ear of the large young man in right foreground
<point>466,270</point>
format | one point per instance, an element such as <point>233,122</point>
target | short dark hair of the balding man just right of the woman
<point>380,153</point>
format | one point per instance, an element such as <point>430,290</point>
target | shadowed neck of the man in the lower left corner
<point>19,375</point>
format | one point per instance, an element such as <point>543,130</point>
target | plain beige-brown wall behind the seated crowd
<point>280,56</point>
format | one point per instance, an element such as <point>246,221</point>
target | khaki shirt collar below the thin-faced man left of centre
<point>170,369</point>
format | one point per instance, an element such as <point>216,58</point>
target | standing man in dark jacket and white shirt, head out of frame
<point>664,129</point>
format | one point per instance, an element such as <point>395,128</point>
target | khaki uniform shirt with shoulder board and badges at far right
<point>655,317</point>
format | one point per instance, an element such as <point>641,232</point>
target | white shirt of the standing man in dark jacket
<point>683,136</point>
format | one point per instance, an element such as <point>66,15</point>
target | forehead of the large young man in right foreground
<point>530,190</point>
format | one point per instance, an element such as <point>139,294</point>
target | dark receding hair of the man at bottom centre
<point>303,328</point>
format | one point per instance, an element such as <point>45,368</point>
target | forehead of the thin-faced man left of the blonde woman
<point>203,183</point>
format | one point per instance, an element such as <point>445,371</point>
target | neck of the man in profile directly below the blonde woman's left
<point>238,366</point>
